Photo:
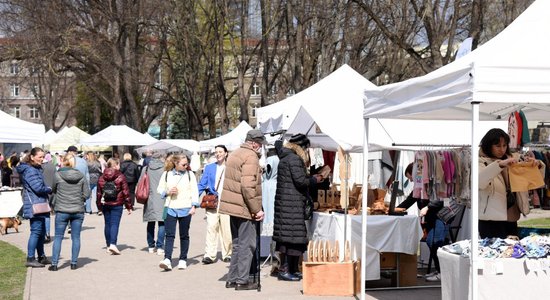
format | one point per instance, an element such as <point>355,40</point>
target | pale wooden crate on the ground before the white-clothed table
<point>331,279</point>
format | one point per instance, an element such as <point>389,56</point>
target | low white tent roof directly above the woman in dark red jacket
<point>118,135</point>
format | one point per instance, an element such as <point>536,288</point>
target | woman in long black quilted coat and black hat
<point>289,230</point>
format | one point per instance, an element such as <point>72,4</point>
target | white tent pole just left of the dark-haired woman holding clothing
<point>474,259</point>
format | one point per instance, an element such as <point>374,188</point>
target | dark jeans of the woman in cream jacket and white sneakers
<point>170,228</point>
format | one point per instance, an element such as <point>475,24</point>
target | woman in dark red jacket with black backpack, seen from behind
<point>112,195</point>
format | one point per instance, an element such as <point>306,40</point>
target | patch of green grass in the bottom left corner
<point>12,272</point>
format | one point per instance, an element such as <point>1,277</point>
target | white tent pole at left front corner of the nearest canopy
<point>364,209</point>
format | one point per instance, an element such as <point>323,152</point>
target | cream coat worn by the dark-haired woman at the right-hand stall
<point>492,193</point>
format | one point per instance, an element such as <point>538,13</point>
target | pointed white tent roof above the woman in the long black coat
<point>331,111</point>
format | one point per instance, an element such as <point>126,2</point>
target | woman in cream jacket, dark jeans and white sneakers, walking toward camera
<point>178,188</point>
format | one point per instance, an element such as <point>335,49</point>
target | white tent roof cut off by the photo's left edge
<point>15,130</point>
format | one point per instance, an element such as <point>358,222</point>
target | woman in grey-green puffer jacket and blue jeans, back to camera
<point>70,190</point>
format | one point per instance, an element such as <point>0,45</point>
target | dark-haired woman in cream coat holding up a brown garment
<point>496,219</point>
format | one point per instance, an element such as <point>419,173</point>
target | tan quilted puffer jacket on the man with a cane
<point>242,186</point>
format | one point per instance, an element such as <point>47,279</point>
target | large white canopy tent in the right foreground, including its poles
<point>508,73</point>
